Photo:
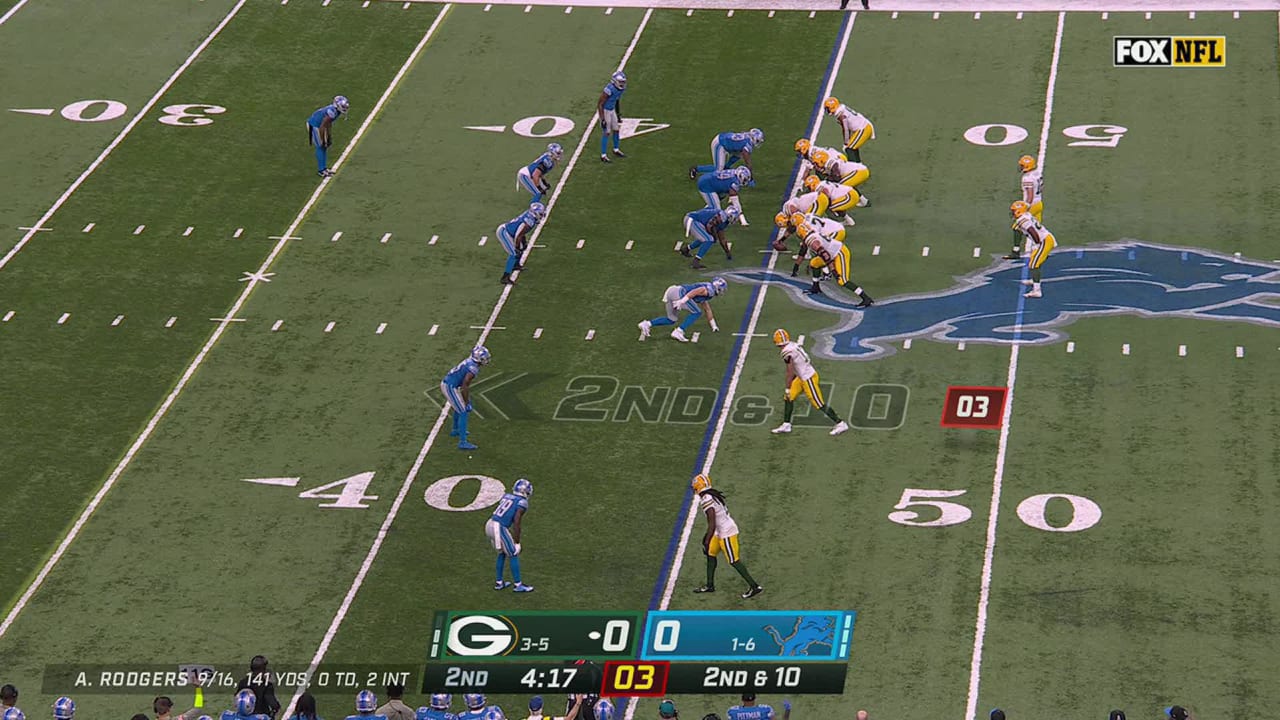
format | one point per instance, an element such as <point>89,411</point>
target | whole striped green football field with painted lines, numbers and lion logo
<point>223,427</point>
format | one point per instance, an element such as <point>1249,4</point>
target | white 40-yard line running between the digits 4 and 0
<point>359,581</point>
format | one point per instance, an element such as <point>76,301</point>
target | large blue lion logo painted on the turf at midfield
<point>1122,279</point>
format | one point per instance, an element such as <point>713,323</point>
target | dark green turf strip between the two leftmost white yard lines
<point>81,397</point>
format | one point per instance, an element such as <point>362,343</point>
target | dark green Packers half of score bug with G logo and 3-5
<point>546,636</point>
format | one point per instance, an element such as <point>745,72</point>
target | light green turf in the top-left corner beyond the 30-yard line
<point>88,61</point>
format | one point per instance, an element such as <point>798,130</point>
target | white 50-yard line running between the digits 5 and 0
<point>998,481</point>
